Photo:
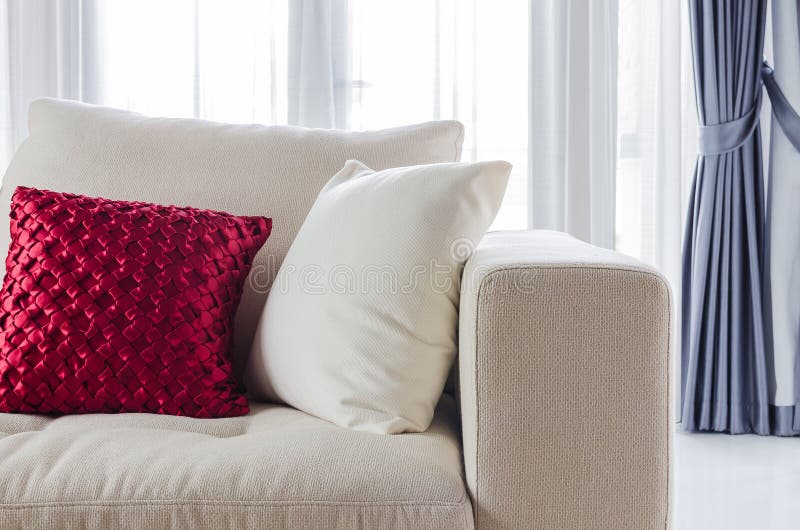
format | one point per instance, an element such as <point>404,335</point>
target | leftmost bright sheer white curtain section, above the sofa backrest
<point>225,61</point>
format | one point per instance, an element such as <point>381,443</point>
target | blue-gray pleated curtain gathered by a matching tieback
<point>725,342</point>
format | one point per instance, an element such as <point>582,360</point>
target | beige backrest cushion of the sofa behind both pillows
<point>274,171</point>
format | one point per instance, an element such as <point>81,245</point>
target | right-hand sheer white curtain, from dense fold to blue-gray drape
<point>612,124</point>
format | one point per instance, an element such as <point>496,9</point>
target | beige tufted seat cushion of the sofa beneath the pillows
<point>274,468</point>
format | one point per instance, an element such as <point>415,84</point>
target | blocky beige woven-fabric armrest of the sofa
<point>564,385</point>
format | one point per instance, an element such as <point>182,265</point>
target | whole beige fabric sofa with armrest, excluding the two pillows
<point>558,417</point>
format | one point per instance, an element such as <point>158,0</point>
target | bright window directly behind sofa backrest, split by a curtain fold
<point>410,61</point>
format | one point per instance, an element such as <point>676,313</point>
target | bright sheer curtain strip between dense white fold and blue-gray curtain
<point>657,132</point>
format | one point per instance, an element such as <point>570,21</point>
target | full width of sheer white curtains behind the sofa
<point>587,98</point>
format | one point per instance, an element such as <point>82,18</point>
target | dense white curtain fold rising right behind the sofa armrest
<point>573,115</point>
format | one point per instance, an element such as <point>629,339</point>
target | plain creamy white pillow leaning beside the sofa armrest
<point>360,325</point>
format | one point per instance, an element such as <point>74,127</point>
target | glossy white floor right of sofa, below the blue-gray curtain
<point>742,482</point>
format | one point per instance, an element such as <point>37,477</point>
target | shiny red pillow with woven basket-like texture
<point>114,306</point>
